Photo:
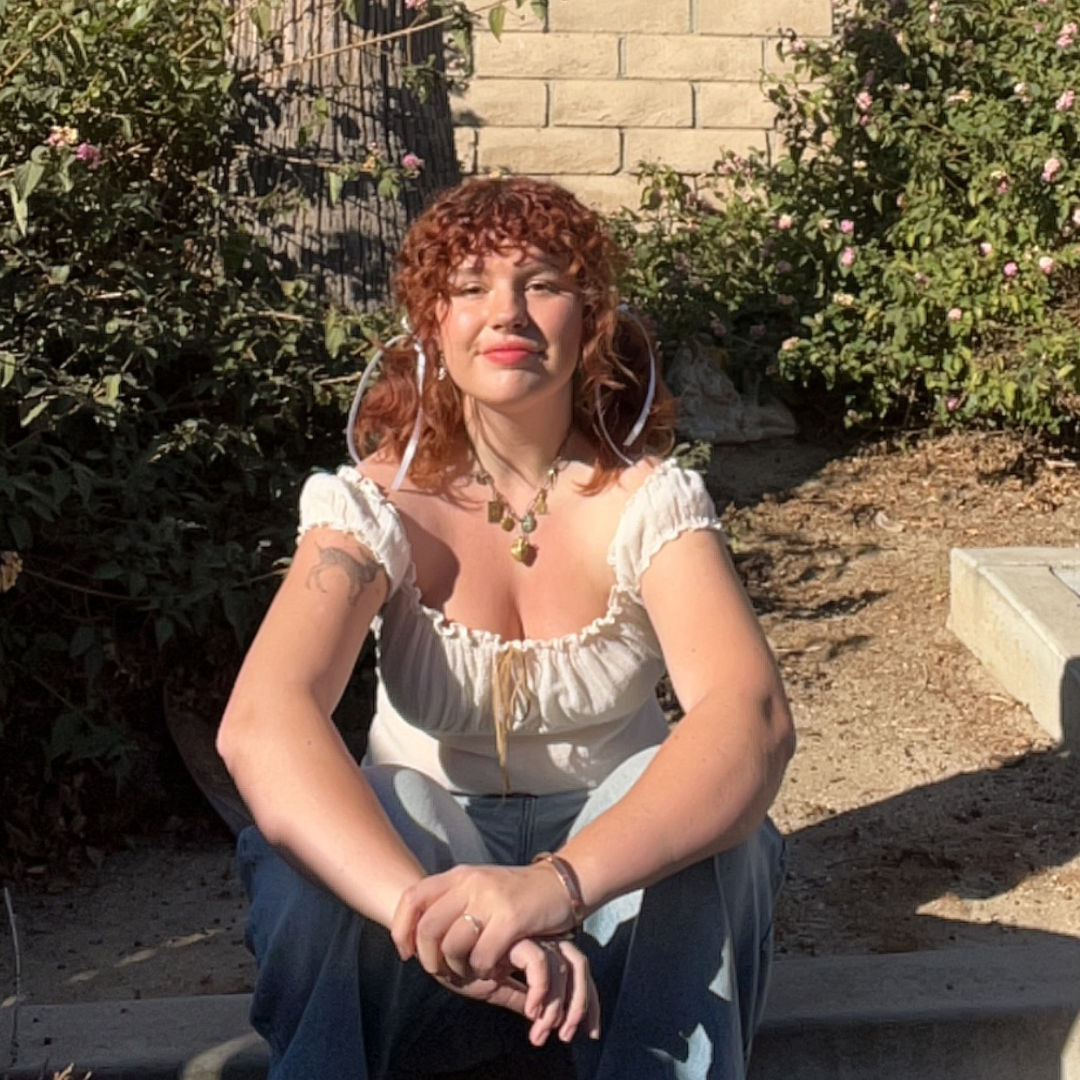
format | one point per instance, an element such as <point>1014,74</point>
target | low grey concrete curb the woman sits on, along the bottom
<point>1006,1014</point>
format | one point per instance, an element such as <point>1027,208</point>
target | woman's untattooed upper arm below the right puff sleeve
<point>711,639</point>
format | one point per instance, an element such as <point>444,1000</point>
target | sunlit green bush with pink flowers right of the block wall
<point>913,248</point>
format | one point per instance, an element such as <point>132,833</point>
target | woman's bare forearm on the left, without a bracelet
<point>310,800</point>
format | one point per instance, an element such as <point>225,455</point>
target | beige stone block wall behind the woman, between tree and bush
<point>601,86</point>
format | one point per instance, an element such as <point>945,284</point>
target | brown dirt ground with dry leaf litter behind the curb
<point>925,808</point>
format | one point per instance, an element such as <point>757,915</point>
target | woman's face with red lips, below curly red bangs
<point>511,331</point>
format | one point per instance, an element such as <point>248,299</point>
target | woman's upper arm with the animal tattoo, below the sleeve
<point>313,633</point>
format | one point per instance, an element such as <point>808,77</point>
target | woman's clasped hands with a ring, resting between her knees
<point>496,935</point>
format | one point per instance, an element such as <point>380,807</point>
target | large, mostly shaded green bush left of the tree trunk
<point>163,396</point>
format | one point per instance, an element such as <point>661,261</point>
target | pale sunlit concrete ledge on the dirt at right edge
<point>1019,612</point>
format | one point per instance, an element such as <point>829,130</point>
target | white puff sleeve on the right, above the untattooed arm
<point>672,502</point>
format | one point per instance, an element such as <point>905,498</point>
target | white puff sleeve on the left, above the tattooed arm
<point>352,504</point>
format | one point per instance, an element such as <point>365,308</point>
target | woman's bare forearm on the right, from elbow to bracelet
<point>707,790</point>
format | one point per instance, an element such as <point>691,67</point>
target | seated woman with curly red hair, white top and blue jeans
<point>530,565</point>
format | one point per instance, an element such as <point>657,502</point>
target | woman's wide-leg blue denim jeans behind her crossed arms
<point>681,967</point>
